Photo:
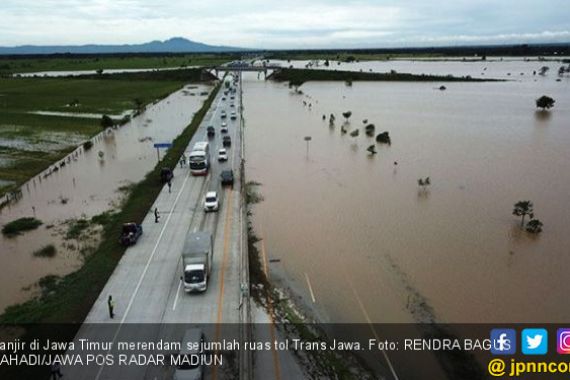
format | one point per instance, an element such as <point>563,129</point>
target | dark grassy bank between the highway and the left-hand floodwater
<point>72,297</point>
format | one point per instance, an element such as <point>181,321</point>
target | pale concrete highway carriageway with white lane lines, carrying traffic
<point>146,284</point>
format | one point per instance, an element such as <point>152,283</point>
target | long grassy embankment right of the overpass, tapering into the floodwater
<point>300,76</point>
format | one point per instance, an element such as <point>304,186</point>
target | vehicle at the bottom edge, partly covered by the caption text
<point>189,361</point>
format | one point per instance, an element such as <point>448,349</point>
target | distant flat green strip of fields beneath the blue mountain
<point>106,62</point>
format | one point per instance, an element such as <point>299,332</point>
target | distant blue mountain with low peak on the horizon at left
<point>172,45</point>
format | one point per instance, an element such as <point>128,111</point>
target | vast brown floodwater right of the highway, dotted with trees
<point>371,243</point>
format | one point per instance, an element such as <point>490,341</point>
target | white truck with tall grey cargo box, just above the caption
<point>197,258</point>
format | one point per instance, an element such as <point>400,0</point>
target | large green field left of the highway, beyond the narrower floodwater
<point>109,94</point>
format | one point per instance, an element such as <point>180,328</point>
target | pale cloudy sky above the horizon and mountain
<point>285,24</point>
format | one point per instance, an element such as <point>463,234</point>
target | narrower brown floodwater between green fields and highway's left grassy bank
<point>86,186</point>
